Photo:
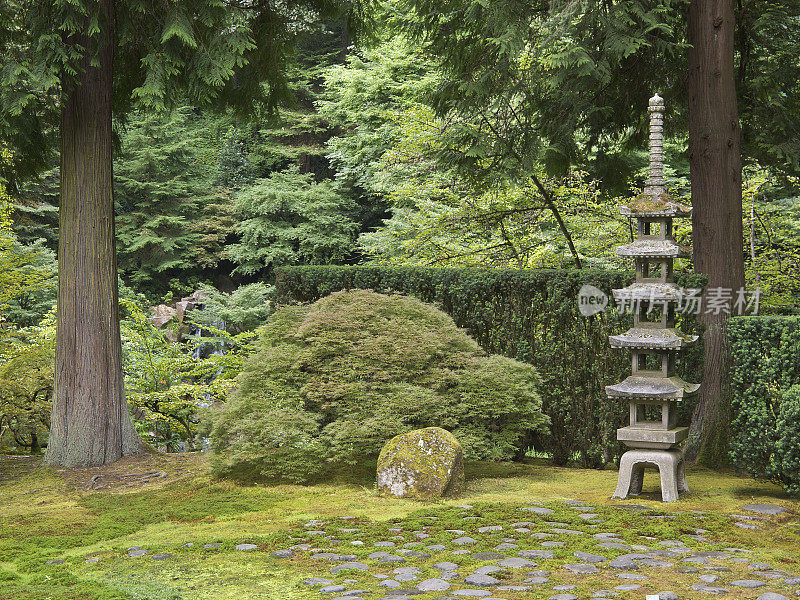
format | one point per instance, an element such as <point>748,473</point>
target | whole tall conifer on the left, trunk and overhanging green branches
<point>72,64</point>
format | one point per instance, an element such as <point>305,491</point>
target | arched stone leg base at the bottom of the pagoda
<point>670,467</point>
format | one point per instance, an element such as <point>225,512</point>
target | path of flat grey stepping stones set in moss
<point>560,551</point>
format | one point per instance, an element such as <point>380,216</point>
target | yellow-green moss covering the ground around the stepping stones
<point>164,502</point>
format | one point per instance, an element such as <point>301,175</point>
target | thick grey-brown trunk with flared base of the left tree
<point>90,423</point>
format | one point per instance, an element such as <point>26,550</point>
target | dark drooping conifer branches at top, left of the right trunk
<point>516,76</point>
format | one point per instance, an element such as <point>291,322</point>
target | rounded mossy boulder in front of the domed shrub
<point>421,464</point>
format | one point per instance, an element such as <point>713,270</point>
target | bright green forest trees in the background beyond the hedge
<point>357,167</point>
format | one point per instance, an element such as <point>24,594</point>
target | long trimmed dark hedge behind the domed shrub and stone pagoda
<point>529,315</point>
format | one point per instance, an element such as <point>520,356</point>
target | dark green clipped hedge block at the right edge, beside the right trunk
<point>765,377</point>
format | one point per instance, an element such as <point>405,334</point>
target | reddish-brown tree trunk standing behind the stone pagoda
<point>716,176</point>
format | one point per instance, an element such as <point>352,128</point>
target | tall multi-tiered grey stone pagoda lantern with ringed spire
<point>653,389</point>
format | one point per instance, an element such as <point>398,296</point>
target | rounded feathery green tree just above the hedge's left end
<point>287,218</point>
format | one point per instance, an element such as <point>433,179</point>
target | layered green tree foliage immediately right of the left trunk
<point>170,218</point>
